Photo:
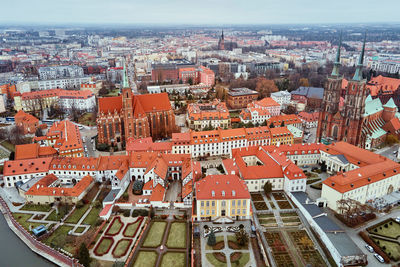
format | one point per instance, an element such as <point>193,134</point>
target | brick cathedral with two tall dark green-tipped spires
<point>350,114</point>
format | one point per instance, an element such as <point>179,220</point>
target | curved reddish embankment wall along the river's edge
<point>37,246</point>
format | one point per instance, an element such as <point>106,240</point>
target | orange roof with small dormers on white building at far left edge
<point>25,166</point>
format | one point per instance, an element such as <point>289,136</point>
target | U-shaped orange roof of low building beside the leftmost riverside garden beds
<point>43,187</point>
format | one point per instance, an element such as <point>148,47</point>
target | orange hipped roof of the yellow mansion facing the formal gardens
<point>221,187</point>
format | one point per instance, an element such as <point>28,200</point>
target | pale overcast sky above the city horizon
<point>200,12</point>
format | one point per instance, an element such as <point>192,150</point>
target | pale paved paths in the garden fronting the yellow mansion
<point>226,250</point>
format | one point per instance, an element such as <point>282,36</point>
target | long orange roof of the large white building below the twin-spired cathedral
<point>344,182</point>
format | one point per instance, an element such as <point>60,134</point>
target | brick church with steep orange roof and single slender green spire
<point>137,116</point>
